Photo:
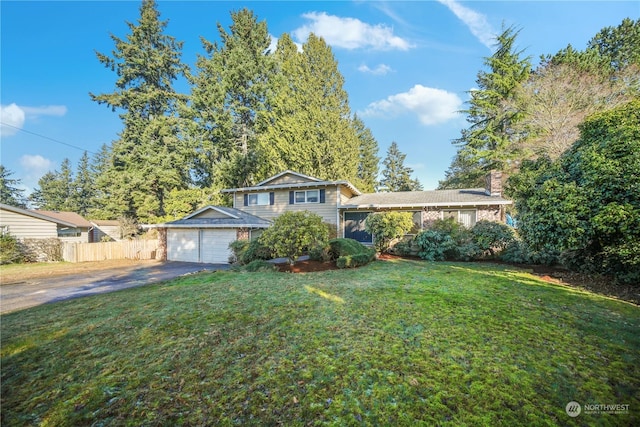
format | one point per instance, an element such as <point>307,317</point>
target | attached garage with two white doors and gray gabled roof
<point>205,235</point>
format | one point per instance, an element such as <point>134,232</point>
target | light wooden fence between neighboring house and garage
<point>127,249</point>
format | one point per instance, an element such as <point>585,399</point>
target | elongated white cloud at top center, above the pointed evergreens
<point>350,33</point>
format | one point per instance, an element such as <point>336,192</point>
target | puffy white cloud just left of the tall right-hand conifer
<point>432,106</point>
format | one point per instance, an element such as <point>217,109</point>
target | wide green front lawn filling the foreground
<point>392,343</point>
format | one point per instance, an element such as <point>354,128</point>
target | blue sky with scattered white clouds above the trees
<point>408,65</point>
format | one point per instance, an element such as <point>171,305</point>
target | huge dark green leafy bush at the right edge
<point>586,203</point>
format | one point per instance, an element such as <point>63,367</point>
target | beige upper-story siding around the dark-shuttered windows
<point>281,204</point>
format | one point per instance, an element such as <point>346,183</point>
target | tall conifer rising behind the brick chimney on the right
<point>489,141</point>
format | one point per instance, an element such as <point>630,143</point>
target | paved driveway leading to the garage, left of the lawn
<point>40,291</point>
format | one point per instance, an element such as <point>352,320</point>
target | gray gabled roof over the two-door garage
<point>229,218</point>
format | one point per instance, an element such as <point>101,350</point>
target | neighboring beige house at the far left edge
<point>40,224</point>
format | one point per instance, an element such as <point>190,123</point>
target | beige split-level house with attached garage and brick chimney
<point>204,235</point>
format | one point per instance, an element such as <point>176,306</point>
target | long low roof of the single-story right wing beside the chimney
<point>435,198</point>
